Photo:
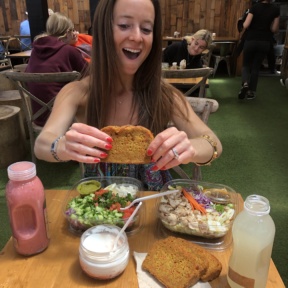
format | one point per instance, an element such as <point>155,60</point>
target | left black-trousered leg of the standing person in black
<point>246,67</point>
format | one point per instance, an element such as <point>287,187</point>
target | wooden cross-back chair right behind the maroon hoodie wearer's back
<point>21,79</point>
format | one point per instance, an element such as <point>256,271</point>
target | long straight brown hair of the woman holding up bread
<point>153,97</point>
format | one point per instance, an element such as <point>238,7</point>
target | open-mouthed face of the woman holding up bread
<point>133,22</point>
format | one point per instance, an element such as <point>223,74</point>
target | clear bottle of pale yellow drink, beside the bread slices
<point>253,235</point>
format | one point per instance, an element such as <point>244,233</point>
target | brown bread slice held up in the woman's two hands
<point>130,144</point>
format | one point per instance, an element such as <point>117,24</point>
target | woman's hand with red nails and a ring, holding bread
<point>170,148</point>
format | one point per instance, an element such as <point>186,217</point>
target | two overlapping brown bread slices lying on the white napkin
<point>176,262</point>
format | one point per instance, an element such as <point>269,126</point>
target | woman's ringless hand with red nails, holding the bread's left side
<point>84,143</point>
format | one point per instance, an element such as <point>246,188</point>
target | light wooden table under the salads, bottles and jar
<point>59,266</point>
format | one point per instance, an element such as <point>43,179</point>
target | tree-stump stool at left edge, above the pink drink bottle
<point>12,140</point>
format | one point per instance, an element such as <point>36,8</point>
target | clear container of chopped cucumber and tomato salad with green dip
<point>97,200</point>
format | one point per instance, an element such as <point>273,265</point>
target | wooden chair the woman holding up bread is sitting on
<point>203,107</point>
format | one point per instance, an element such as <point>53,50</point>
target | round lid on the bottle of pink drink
<point>21,171</point>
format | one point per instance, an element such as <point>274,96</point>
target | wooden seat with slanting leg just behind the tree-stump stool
<point>13,98</point>
